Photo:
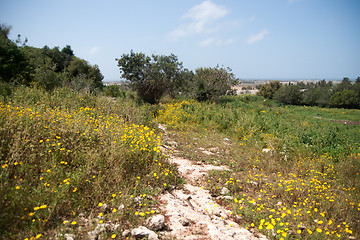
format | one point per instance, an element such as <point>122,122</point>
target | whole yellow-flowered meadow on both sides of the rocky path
<point>65,155</point>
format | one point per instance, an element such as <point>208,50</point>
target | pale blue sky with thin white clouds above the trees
<point>257,39</point>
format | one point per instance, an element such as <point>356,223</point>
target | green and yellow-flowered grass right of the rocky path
<point>305,186</point>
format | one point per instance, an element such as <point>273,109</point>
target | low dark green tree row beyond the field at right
<point>345,94</point>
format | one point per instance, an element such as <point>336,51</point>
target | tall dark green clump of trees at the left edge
<point>45,67</point>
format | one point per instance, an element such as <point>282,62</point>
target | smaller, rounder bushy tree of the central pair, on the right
<point>211,83</point>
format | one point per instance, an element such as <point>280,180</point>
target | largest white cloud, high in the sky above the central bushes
<point>202,18</point>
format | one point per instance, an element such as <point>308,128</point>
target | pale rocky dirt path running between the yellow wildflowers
<point>192,213</point>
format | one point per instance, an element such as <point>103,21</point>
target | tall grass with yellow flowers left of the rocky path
<point>63,154</point>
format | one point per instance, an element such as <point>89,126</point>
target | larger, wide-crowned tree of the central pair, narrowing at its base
<point>151,77</point>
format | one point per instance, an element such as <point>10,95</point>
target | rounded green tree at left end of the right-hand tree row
<point>290,94</point>
